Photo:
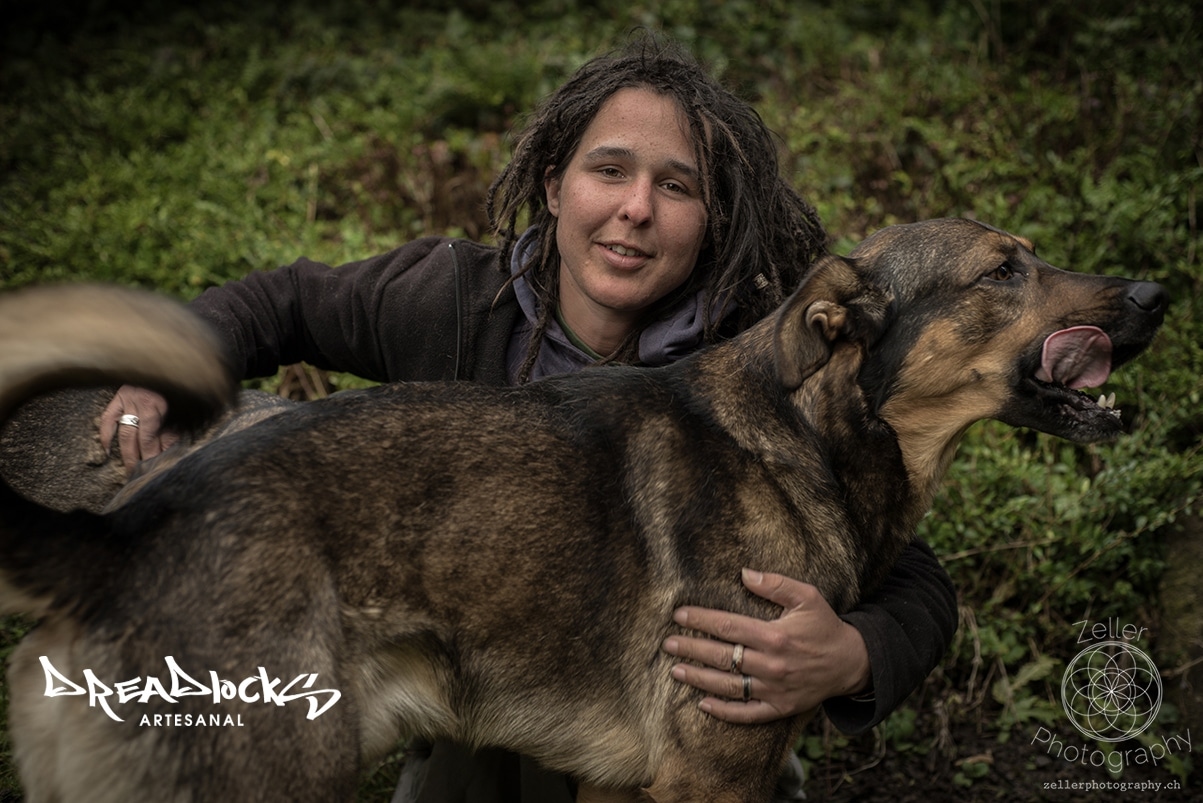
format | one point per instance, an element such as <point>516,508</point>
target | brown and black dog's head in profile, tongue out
<point>958,322</point>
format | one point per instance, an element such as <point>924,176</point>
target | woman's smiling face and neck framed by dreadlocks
<point>631,220</point>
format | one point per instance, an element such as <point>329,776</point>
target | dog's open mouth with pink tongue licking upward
<point>1071,361</point>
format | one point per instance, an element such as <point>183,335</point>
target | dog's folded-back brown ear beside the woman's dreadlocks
<point>832,303</point>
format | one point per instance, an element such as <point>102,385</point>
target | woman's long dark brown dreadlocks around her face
<point>762,237</point>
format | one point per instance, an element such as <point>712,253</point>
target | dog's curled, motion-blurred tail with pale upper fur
<point>85,335</point>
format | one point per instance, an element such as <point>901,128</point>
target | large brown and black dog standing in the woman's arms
<point>500,566</point>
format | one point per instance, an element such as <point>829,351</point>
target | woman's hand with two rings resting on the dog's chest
<point>795,663</point>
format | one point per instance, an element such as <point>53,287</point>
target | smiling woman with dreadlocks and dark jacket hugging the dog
<point>656,222</point>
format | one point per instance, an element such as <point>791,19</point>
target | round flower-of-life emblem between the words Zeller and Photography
<point>1112,692</point>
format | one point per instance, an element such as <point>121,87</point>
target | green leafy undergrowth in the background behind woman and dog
<point>179,149</point>
